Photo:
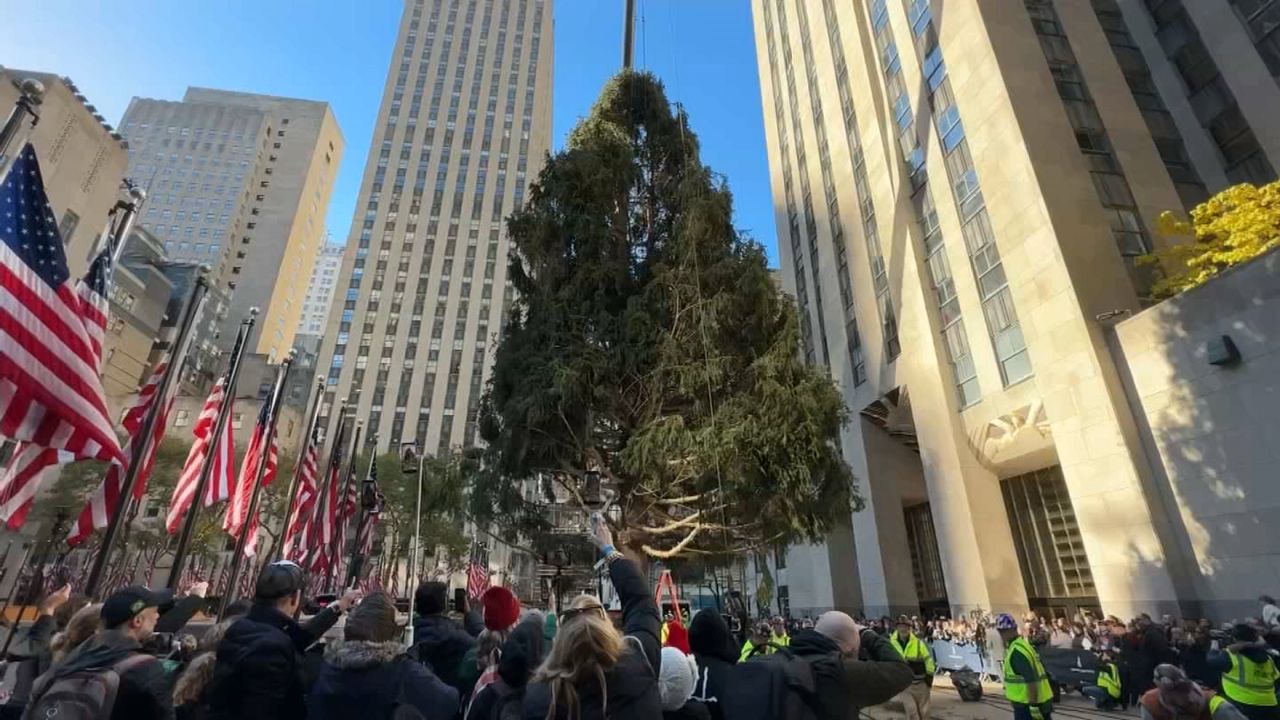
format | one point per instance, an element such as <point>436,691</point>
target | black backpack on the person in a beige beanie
<point>772,687</point>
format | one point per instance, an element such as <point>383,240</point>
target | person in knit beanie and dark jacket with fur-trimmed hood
<point>368,675</point>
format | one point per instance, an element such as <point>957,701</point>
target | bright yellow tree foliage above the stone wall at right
<point>1233,227</point>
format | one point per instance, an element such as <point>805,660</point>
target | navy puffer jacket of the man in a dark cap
<point>259,675</point>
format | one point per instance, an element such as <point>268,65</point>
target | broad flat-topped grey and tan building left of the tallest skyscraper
<point>241,183</point>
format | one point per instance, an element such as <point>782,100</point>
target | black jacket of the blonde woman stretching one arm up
<point>632,686</point>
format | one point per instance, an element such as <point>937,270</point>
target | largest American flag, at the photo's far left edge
<point>51,393</point>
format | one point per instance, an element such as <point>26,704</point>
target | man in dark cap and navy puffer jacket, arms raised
<point>259,668</point>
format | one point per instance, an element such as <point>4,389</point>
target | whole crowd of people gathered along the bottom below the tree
<point>125,659</point>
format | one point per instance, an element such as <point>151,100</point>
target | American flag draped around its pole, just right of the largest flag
<point>107,499</point>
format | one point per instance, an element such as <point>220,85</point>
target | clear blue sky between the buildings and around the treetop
<point>339,52</point>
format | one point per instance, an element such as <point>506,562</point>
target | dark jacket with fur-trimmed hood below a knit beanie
<point>372,680</point>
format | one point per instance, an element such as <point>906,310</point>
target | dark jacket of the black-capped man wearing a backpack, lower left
<point>145,692</point>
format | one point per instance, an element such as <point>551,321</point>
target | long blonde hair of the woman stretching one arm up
<point>587,646</point>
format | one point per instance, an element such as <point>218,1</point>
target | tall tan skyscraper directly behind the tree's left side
<point>464,126</point>
